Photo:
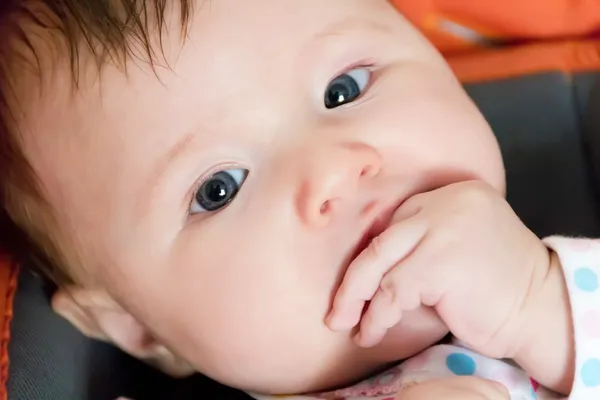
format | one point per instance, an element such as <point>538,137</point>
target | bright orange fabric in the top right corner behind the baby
<point>489,39</point>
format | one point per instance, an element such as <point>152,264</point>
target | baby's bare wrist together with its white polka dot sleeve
<point>562,344</point>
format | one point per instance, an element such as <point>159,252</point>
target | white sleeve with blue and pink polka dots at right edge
<point>580,259</point>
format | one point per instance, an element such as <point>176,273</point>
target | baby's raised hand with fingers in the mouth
<point>460,249</point>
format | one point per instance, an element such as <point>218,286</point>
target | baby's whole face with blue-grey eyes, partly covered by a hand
<point>222,203</point>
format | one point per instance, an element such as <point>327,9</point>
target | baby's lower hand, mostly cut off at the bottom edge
<point>457,388</point>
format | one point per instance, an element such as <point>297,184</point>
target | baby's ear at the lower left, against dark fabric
<point>99,317</point>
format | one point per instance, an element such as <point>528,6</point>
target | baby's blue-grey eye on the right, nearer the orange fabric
<point>347,87</point>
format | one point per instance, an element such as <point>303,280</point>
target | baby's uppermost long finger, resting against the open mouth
<point>362,279</point>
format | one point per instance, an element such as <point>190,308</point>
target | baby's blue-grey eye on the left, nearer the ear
<point>218,190</point>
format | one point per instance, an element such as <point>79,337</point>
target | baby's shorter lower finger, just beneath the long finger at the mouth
<point>397,293</point>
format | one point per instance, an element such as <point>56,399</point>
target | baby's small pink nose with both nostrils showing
<point>333,176</point>
